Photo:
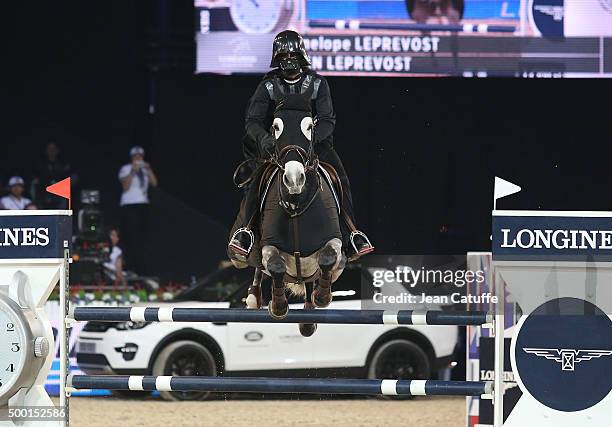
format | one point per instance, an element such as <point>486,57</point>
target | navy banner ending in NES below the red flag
<point>34,236</point>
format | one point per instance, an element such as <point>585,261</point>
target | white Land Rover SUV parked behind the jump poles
<point>274,349</point>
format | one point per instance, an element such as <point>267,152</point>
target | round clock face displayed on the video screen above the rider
<point>256,16</point>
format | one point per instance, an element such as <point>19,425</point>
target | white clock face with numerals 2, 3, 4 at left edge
<point>12,347</point>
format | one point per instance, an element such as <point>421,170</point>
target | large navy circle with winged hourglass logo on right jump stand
<point>563,354</point>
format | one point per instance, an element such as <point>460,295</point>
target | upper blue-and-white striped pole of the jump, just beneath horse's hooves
<point>237,315</point>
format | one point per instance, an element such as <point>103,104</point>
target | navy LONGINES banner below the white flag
<point>562,238</point>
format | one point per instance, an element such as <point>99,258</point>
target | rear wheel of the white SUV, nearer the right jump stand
<point>399,359</point>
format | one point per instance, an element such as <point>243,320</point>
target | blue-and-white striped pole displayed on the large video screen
<point>459,28</point>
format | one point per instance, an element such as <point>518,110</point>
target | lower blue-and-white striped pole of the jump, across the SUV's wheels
<point>282,385</point>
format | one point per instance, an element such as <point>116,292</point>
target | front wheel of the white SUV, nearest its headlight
<point>185,358</point>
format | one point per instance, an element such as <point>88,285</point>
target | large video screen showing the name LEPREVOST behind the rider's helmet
<point>471,38</point>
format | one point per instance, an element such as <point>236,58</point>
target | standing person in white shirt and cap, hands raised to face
<point>135,178</point>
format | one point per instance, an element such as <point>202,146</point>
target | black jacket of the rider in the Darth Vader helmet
<point>262,104</point>
